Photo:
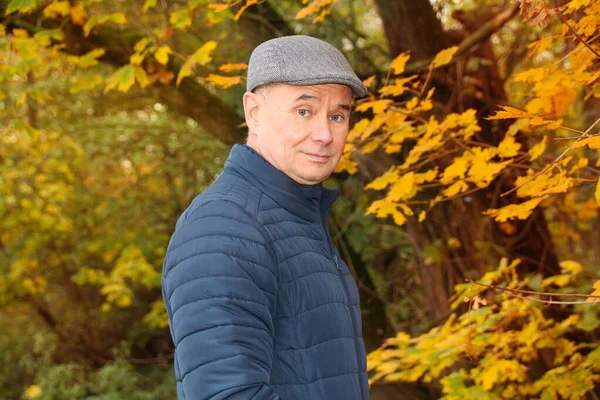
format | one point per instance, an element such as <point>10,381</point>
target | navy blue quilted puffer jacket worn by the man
<point>260,304</point>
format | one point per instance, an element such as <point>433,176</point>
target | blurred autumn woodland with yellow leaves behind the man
<point>114,115</point>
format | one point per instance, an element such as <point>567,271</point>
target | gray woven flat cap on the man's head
<point>300,60</point>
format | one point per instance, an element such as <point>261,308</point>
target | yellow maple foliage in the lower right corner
<point>508,349</point>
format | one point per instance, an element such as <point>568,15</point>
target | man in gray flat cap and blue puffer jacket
<point>260,304</point>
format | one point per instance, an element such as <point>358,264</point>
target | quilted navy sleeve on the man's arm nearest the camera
<point>219,288</point>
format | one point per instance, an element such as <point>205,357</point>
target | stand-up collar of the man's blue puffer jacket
<point>310,202</point>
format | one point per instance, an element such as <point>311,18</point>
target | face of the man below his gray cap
<point>301,130</point>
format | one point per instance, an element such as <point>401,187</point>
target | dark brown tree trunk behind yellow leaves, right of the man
<point>411,25</point>
